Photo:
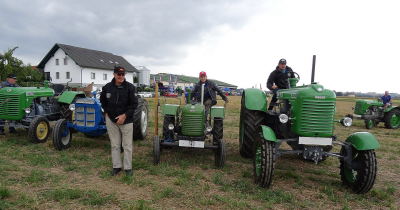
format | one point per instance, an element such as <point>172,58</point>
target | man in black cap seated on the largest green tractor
<point>278,79</point>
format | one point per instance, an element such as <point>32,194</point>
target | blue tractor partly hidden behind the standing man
<point>88,118</point>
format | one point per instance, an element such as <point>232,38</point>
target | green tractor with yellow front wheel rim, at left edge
<point>33,107</point>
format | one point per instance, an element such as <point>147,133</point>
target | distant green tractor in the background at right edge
<point>373,112</point>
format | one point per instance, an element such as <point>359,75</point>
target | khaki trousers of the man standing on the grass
<point>120,134</point>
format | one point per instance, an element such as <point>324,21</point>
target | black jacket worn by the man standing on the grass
<point>117,100</point>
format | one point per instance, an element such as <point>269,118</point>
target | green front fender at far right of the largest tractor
<point>363,141</point>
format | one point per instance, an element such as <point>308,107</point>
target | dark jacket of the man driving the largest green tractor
<point>280,78</point>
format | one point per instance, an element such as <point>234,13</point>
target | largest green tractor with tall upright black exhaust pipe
<point>304,119</point>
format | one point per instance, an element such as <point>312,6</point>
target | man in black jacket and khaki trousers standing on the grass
<point>119,101</point>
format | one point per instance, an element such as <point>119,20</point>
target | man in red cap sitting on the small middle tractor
<point>210,98</point>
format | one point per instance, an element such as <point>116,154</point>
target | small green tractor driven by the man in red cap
<point>189,126</point>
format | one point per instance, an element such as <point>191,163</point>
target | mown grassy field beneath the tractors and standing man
<point>36,176</point>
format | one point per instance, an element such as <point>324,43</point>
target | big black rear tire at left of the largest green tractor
<point>250,120</point>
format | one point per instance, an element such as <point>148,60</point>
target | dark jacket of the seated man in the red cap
<point>209,92</point>
